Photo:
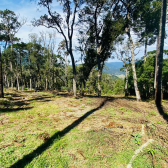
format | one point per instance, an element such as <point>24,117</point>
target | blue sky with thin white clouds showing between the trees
<point>29,9</point>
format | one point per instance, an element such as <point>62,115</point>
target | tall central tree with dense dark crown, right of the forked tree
<point>103,26</point>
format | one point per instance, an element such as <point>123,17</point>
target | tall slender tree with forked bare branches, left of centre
<point>56,21</point>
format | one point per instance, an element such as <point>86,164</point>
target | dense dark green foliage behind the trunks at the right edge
<point>145,76</point>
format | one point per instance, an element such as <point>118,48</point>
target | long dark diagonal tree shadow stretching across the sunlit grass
<point>57,136</point>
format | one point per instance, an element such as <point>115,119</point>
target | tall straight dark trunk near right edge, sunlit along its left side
<point>159,56</point>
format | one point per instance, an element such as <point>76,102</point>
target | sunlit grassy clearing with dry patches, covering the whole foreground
<point>49,130</point>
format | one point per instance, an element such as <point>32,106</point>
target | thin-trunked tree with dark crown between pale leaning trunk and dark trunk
<point>147,27</point>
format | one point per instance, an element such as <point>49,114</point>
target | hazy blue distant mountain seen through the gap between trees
<point>113,68</point>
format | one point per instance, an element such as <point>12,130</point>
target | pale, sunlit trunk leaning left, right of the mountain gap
<point>138,97</point>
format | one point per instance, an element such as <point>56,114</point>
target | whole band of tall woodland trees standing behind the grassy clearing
<point>105,29</point>
